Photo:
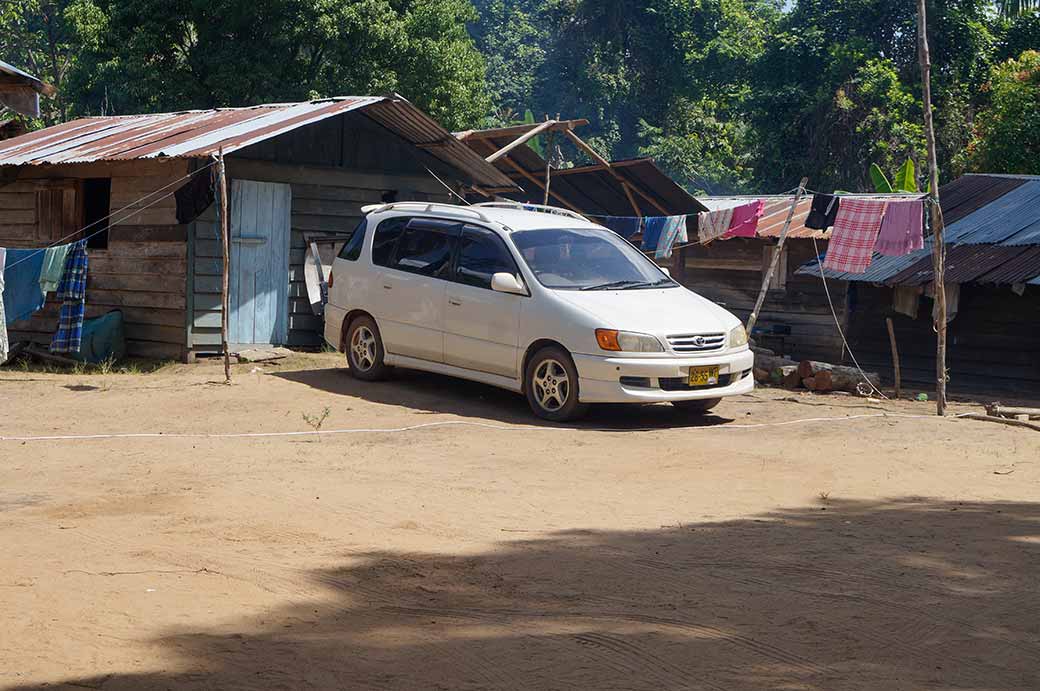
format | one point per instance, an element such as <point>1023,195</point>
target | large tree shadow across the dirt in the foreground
<point>907,594</point>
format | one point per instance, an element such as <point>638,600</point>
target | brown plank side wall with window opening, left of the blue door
<point>143,272</point>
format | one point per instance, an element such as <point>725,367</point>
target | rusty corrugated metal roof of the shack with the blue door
<point>201,134</point>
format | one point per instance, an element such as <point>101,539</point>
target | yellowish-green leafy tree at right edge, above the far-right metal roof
<point>1007,135</point>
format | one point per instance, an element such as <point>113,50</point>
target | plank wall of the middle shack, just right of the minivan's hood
<point>731,273</point>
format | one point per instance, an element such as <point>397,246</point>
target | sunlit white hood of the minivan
<point>658,312</point>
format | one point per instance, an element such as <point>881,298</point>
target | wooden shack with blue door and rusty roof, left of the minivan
<point>295,170</point>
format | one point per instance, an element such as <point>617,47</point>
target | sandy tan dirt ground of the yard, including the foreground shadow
<point>643,550</point>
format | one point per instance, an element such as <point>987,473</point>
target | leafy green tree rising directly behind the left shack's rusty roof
<point>148,56</point>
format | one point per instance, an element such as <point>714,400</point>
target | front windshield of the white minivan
<point>587,260</point>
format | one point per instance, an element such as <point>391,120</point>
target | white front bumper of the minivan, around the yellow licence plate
<point>654,379</point>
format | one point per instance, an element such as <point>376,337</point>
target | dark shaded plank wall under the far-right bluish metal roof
<point>994,345</point>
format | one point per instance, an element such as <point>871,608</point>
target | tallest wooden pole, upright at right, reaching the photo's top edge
<point>939,251</point>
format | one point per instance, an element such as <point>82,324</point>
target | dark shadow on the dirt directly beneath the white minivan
<point>438,394</point>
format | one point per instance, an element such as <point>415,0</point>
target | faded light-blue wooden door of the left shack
<point>259,291</point>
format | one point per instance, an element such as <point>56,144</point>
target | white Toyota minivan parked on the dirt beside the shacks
<point>537,300</point>
